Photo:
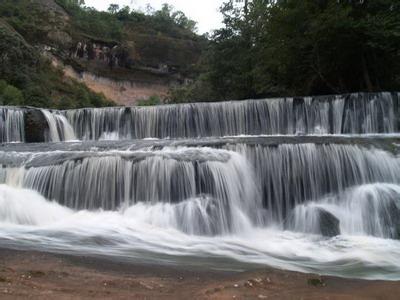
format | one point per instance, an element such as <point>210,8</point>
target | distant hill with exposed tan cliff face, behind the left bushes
<point>136,65</point>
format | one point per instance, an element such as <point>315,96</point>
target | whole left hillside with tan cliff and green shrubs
<point>57,53</point>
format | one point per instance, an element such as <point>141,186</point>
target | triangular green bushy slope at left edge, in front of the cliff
<point>26,78</point>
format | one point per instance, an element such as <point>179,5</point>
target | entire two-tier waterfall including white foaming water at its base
<point>322,203</point>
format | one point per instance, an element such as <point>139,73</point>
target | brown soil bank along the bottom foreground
<point>36,275</point>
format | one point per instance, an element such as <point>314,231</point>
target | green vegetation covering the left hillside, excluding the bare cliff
<point>29,78</point>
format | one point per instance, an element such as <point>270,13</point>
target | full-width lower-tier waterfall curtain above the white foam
<point>251,177</point>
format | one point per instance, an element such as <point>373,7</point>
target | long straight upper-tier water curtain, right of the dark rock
<point>349,114</point>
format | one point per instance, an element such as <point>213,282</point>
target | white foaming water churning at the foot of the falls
<point>151,233</point>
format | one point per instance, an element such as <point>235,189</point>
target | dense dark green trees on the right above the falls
<point>290,47</point>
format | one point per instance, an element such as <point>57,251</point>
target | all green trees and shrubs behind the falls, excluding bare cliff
<point>265,48</point>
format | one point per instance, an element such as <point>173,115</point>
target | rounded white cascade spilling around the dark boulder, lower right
<point>370,210</point>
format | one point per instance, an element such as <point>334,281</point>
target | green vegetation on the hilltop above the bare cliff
<point>148,39</point>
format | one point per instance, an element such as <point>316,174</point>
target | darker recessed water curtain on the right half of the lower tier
<point>290,174</point>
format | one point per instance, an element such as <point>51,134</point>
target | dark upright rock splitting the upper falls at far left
<point>35,126</point>
